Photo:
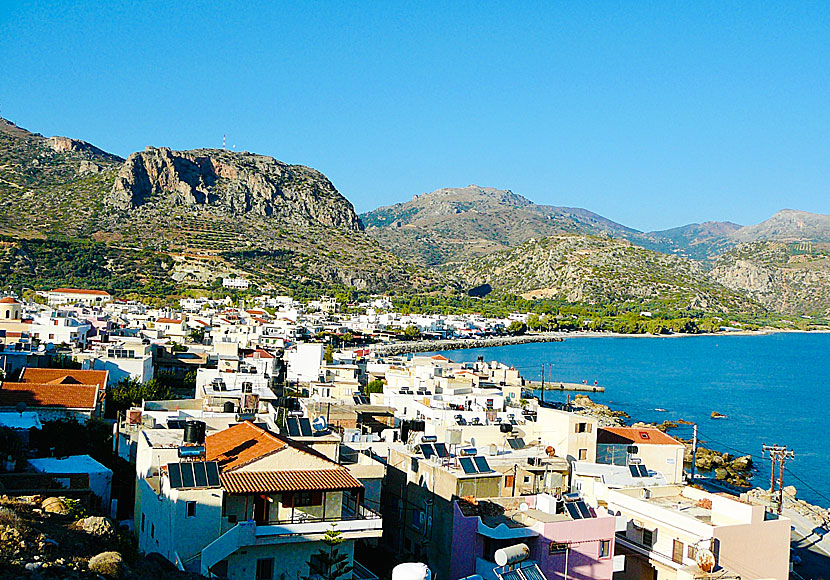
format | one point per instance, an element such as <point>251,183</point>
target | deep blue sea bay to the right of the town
<point>773,389</point>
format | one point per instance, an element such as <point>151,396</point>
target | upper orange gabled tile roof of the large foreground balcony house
<point>241,444</point>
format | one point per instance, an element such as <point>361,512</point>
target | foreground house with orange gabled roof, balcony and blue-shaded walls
<point>255,505</point>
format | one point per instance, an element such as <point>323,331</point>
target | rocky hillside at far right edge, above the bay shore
<point>787,277</point>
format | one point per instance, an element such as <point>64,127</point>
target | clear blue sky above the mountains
<point>651,114</point>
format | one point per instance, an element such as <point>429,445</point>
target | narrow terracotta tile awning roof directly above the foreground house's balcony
<point>338,478</point>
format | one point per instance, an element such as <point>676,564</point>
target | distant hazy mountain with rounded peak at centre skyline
<point>455,224</point>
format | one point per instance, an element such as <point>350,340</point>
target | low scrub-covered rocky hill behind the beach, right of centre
<point>580,268</point>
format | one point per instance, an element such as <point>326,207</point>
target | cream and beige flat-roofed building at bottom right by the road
<point>664,531</point>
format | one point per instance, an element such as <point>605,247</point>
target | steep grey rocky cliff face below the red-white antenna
<point>238,183</point>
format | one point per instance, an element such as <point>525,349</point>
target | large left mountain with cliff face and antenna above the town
<point>180,219</point>
